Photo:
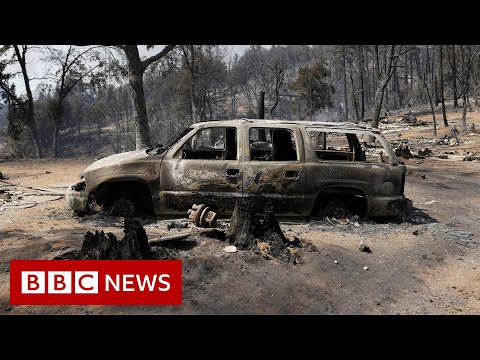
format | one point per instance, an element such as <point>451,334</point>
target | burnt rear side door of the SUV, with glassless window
<point>274,168</point>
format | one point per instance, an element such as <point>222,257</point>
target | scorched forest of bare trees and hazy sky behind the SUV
<point>107,99</point>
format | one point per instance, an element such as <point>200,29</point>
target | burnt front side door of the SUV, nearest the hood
<point>205,169</point>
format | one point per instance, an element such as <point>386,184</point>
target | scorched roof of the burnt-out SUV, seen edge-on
<point>318,124</point>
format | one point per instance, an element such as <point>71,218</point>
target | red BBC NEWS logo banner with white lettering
<point>95,282</point>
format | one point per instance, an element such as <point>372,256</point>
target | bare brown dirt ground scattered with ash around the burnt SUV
<point>427,264</point>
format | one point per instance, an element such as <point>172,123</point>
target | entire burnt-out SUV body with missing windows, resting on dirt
<point>299,166</point>
